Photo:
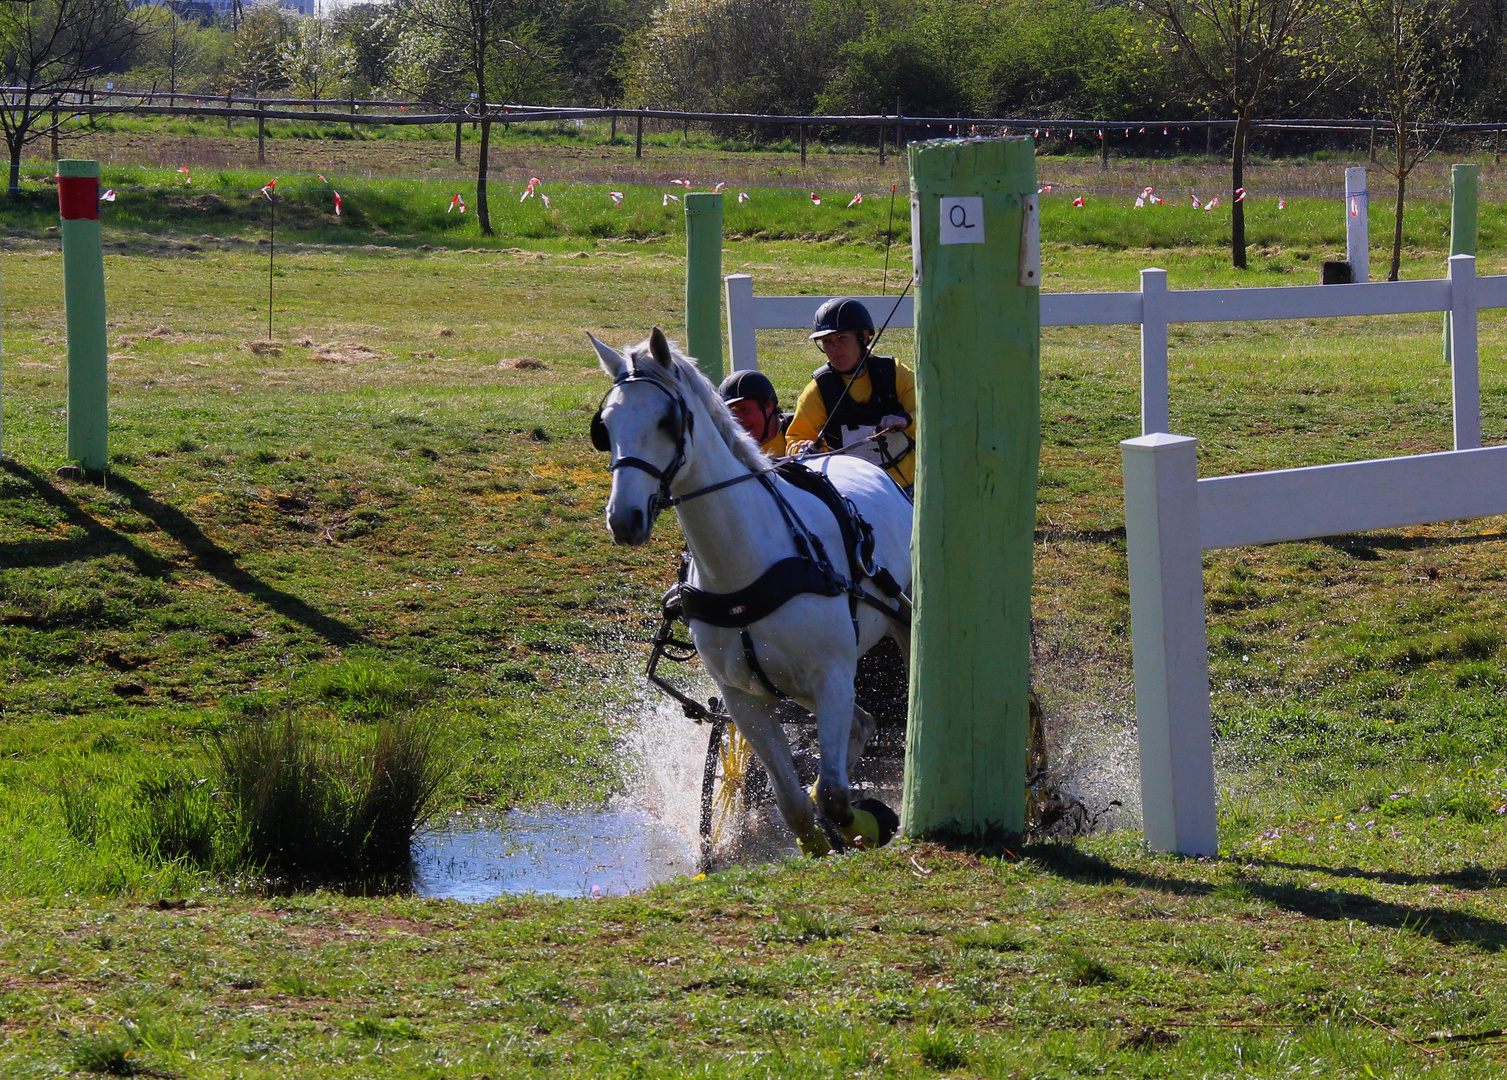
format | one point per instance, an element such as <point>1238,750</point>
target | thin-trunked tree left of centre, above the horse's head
<point>486,50</point>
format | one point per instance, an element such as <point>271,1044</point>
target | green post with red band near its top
<point>84,296</point>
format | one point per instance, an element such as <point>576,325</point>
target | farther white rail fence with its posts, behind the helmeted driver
<point>1155,308</point>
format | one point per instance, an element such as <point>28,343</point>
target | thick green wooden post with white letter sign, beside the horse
<point>979,317</point>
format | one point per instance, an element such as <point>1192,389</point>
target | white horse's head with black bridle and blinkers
<point>646,424</point>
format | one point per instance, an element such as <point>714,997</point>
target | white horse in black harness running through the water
<point>671,439</point>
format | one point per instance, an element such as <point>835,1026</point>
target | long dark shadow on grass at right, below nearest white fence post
<point>1444,926</point>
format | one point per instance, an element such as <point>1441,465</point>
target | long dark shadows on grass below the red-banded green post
<point>206,554</point>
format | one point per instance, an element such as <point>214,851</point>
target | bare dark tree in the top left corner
<point>50,52</point>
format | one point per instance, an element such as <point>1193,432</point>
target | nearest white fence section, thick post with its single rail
<point>1173,517</point>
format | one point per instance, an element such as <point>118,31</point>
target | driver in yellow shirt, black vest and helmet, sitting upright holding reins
<point>857,400</point>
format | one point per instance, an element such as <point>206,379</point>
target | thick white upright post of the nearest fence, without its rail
<point>1170,644</point>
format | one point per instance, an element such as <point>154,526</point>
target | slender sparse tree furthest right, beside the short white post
<point>1413,47</point>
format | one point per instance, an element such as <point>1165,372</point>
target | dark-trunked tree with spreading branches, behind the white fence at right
<point>1243,52</point>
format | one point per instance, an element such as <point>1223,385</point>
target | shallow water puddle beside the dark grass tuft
<point>554,853</point>
